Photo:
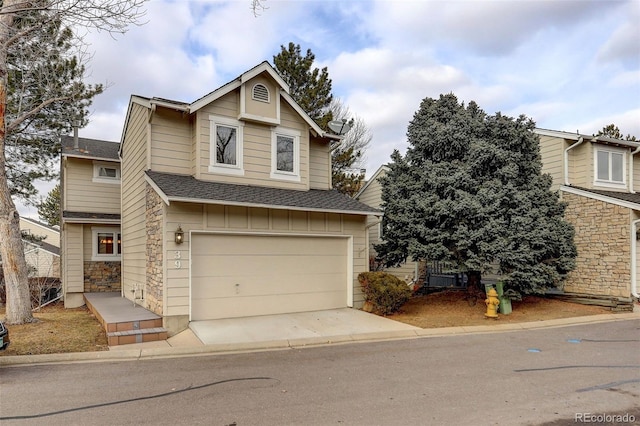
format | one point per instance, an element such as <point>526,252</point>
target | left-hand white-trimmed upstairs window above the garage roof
<point>226,146</point>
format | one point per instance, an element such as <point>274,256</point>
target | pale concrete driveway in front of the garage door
<point>334,324</point>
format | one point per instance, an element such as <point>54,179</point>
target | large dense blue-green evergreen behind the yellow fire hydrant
<point>470,191</point>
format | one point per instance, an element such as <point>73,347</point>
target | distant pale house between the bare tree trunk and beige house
<point>43,257</point>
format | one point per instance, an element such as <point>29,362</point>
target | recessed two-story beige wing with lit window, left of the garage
<point>90,231</point>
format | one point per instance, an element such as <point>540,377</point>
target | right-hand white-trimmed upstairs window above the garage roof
<point>285,154</point>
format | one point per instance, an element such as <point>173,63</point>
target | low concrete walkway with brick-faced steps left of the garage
<point>125,322</point>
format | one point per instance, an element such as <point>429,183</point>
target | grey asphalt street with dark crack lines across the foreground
<point>556,376</point>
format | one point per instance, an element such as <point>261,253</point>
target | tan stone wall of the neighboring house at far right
<point>603,240</point>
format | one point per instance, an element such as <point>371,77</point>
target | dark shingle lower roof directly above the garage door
<point>188,188</point>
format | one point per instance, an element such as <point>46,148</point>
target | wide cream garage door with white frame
<point>248,275</point>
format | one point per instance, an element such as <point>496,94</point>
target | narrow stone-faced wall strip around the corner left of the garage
<point>155,232</point>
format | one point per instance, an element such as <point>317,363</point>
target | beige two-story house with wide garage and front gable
<point>226,208</point>
